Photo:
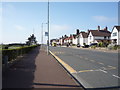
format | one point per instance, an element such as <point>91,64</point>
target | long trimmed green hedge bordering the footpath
<point>13,53</point>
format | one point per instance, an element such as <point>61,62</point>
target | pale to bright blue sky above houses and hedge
<point>21,19</point>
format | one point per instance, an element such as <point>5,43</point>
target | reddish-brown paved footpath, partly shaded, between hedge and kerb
<point>38,70</point>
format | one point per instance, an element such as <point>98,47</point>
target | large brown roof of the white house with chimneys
<point>100,33</point>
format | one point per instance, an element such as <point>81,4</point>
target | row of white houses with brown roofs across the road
<point>91,36</point>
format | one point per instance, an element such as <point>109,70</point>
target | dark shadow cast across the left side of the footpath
<point>21,74</point>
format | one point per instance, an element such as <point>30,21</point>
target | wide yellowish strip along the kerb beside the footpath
<point>69,68</point>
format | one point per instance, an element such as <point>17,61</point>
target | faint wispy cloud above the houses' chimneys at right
<point>104,19</point>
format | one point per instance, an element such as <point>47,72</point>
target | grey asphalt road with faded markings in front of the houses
<point>94,69</point>
